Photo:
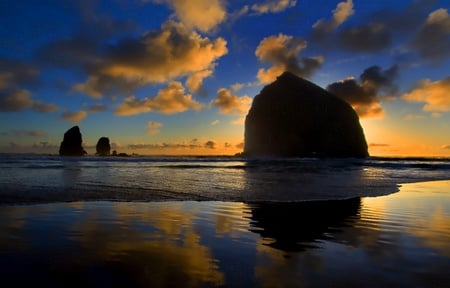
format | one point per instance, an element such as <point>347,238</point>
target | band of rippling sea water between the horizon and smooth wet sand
<point>26,179</point>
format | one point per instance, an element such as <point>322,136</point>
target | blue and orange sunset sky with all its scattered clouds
<point>177,77</point>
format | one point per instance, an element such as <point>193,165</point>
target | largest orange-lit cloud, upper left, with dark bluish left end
<point>156,57</point>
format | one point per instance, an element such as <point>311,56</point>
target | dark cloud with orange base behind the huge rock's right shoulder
<point>365,95</point>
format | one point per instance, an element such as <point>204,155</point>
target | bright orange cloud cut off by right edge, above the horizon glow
<point>435,95</point>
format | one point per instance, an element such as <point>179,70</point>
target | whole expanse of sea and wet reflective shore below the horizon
<point>224,222</point>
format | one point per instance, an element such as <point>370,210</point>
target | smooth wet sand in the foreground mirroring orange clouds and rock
<point>400,240</point>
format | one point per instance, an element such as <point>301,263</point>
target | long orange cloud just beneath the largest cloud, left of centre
<point>169,100</point>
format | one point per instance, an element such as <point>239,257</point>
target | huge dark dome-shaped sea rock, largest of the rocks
<point>293,117</point>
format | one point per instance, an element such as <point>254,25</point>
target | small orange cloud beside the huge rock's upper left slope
<point>228,103</point>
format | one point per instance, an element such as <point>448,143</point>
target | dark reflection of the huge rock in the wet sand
<point>296,226</point>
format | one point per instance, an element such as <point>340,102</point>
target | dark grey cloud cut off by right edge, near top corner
<point>433,38</point>
